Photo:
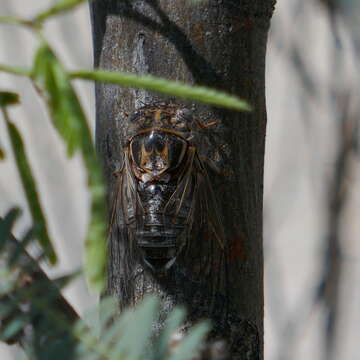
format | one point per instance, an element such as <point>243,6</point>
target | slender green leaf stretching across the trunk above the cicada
<point>167,87</point>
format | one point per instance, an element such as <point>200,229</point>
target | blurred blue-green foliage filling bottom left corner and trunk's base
<point>34,313</point>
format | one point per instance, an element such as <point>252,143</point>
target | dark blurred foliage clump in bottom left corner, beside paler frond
<point>33,312</point>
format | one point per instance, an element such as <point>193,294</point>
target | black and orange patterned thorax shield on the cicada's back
<point>157,151</point>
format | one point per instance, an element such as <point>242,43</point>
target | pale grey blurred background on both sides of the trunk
<point>312,170</point>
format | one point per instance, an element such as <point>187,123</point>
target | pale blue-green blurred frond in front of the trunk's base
<point>129,335</point>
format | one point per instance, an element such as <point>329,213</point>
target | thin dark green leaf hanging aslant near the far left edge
<point>30,189</point>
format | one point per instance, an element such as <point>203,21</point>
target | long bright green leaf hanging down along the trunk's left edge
<point>70,121</point>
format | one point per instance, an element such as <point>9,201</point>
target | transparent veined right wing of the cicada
<point>193,203</point>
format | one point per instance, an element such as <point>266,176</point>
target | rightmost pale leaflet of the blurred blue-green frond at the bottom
<point>188,347</point>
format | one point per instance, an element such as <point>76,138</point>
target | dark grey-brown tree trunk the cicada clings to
<point>222,44</point>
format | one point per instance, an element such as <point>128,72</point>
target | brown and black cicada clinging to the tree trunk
<point>163,202</point>
